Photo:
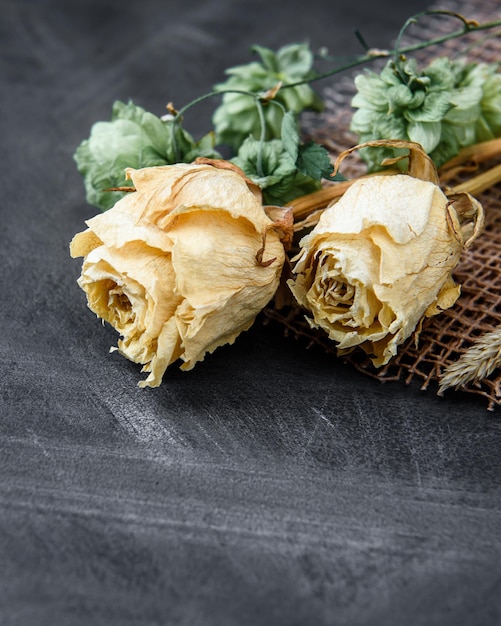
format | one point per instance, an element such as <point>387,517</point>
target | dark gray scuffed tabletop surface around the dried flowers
<point>270,485</point>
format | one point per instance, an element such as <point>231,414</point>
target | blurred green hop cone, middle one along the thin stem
<point>238,118</point>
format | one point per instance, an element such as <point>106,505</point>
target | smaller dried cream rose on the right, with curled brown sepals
<point>380,259</point>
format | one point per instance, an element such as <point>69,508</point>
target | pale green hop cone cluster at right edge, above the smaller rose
<point>447,106</point>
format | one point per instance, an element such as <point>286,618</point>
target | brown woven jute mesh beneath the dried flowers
<point>447,336</point>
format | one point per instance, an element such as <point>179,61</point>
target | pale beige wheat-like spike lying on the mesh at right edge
<point>475,364</point>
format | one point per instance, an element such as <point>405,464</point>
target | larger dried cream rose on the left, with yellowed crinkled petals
<point>182,265</point>
